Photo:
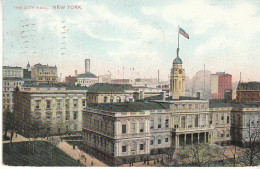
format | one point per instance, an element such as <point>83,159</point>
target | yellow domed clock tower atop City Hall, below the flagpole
<point>177,78</point>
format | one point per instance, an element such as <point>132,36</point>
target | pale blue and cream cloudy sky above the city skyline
<point>133,38</point>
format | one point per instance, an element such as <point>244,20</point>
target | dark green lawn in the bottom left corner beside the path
<point>20,154</point>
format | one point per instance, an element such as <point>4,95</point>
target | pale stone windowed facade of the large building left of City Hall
<point>58,109</point>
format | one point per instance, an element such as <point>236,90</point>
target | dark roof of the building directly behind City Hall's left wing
<point>109,88</point>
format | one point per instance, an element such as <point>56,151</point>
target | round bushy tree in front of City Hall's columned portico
<point>196,155</point>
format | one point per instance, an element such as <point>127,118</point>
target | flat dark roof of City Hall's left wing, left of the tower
<point>130,106</point>
